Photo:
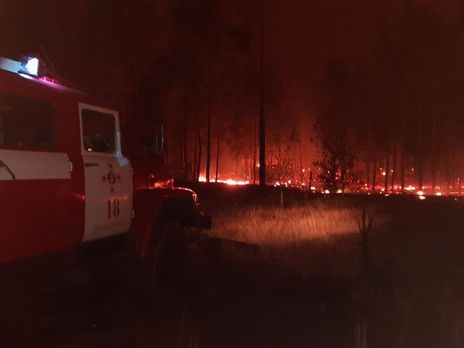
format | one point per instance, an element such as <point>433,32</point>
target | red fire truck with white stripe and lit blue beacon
<point>64,180</point>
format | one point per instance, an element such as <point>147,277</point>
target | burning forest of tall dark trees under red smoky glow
<point>375,111</point>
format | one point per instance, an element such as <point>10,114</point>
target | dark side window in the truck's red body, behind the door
<point>27,122</point>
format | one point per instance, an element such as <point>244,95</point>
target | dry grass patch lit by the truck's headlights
<point>299,241</point>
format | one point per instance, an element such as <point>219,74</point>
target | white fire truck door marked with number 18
<point>108,174</point>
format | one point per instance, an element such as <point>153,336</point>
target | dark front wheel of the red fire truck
<point>168,255</point>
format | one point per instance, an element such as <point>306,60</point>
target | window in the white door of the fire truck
<point>98,131</point>
